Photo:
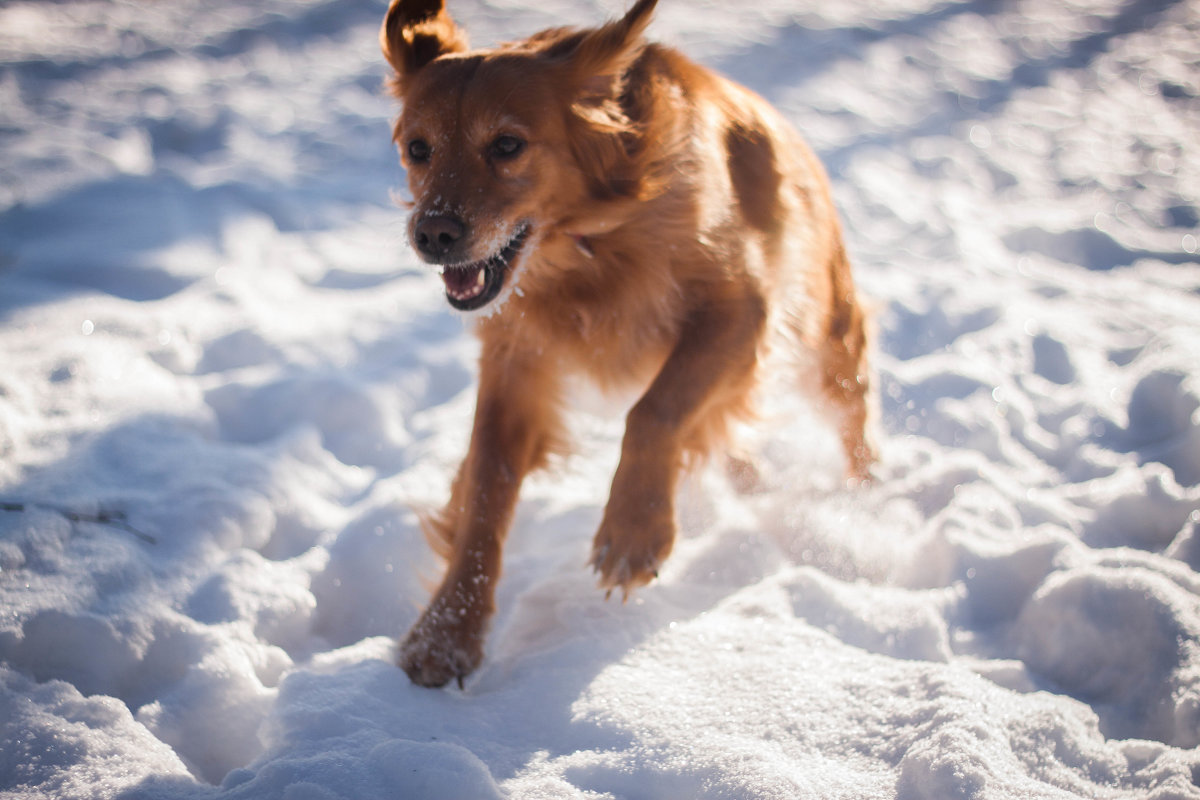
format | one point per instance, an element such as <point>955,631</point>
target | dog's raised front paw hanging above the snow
<point>627,555</point>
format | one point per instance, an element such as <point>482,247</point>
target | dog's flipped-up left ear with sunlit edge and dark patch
<point>415,33</point>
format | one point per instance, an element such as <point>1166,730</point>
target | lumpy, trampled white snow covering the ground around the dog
<point>214,336</point>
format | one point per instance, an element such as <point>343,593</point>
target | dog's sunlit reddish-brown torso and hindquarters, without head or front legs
<point>746,203</point>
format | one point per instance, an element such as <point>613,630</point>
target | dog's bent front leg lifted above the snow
<point>707,377</point>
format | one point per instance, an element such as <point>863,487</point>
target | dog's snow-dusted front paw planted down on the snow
<point>441,648</point>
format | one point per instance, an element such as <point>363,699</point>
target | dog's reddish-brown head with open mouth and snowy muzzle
<point>511,146</point>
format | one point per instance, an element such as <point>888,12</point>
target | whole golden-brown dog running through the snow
<point>611,209</point>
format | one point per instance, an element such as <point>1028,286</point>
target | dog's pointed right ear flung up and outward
<point>598,58</point>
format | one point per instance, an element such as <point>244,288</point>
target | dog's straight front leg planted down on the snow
<point>515,425</point>
